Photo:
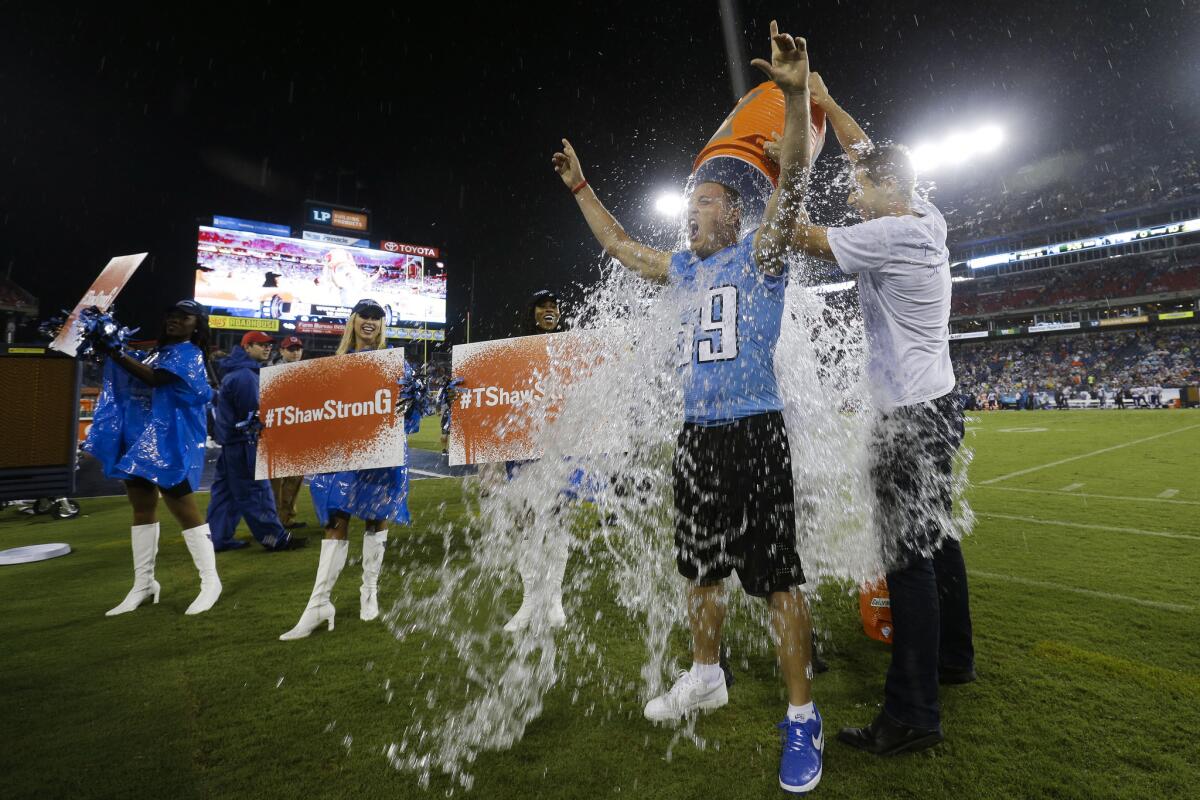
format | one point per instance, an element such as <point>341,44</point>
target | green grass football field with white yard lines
<point>1085,564</point>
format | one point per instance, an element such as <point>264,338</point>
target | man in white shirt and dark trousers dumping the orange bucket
<point>902,263</point>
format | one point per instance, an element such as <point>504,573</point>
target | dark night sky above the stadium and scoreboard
<point>122,128</point>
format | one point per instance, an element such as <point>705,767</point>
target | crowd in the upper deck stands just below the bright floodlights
<point>1075,187</point>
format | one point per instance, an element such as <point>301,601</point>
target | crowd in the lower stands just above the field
<point>1077,364</point>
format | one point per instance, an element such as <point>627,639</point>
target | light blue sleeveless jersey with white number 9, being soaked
<point>731,322</point>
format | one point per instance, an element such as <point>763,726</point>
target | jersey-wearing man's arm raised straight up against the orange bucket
<point>790,70</point>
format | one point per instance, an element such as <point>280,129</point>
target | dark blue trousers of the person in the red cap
<point>238,496</point>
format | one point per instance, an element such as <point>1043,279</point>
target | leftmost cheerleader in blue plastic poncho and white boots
<point>149,431</point>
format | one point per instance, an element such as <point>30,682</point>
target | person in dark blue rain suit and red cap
<point>236,494</point>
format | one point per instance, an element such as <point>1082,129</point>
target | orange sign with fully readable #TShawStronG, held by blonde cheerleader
<point>329,416</point>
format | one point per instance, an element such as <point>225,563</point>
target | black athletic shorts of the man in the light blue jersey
<point>735,506</point>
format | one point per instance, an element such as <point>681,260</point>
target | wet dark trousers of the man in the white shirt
<point>913,461</point>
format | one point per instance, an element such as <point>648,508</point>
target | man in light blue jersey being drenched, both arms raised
<point>734,495</point>
